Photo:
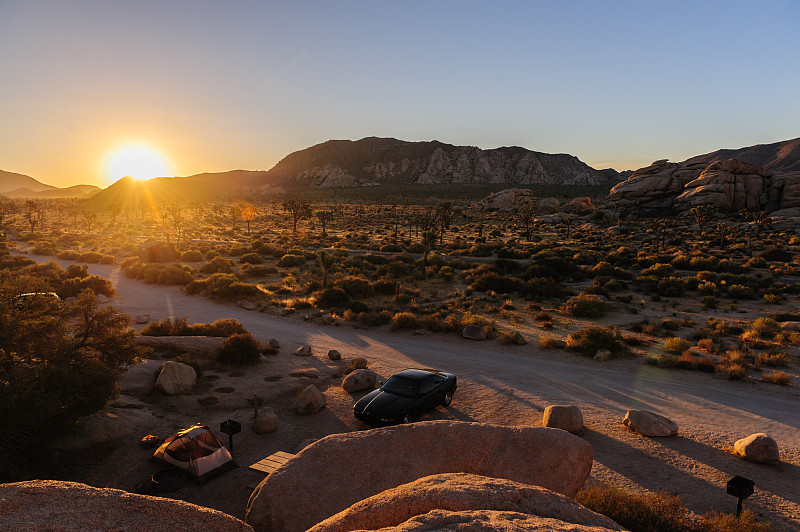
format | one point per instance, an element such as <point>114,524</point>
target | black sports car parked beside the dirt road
<point>406,396</point>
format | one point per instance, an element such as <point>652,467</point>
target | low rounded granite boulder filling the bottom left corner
<point>55,505</point>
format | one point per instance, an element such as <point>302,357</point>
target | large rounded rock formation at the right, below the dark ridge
<point>729,185</point>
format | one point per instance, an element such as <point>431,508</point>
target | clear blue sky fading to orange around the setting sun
<point>240,84</point>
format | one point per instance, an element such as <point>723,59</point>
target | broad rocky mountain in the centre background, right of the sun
<point>385,161</point>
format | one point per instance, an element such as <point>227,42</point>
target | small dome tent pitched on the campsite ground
<point>196,450</point>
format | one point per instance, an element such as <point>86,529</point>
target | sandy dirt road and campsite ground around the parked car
<point>509,385</point>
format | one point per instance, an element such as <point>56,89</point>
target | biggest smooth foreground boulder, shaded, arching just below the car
<point>549,458</point>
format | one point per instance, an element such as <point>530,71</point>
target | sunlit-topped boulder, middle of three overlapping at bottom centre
<point>459,492</point>
